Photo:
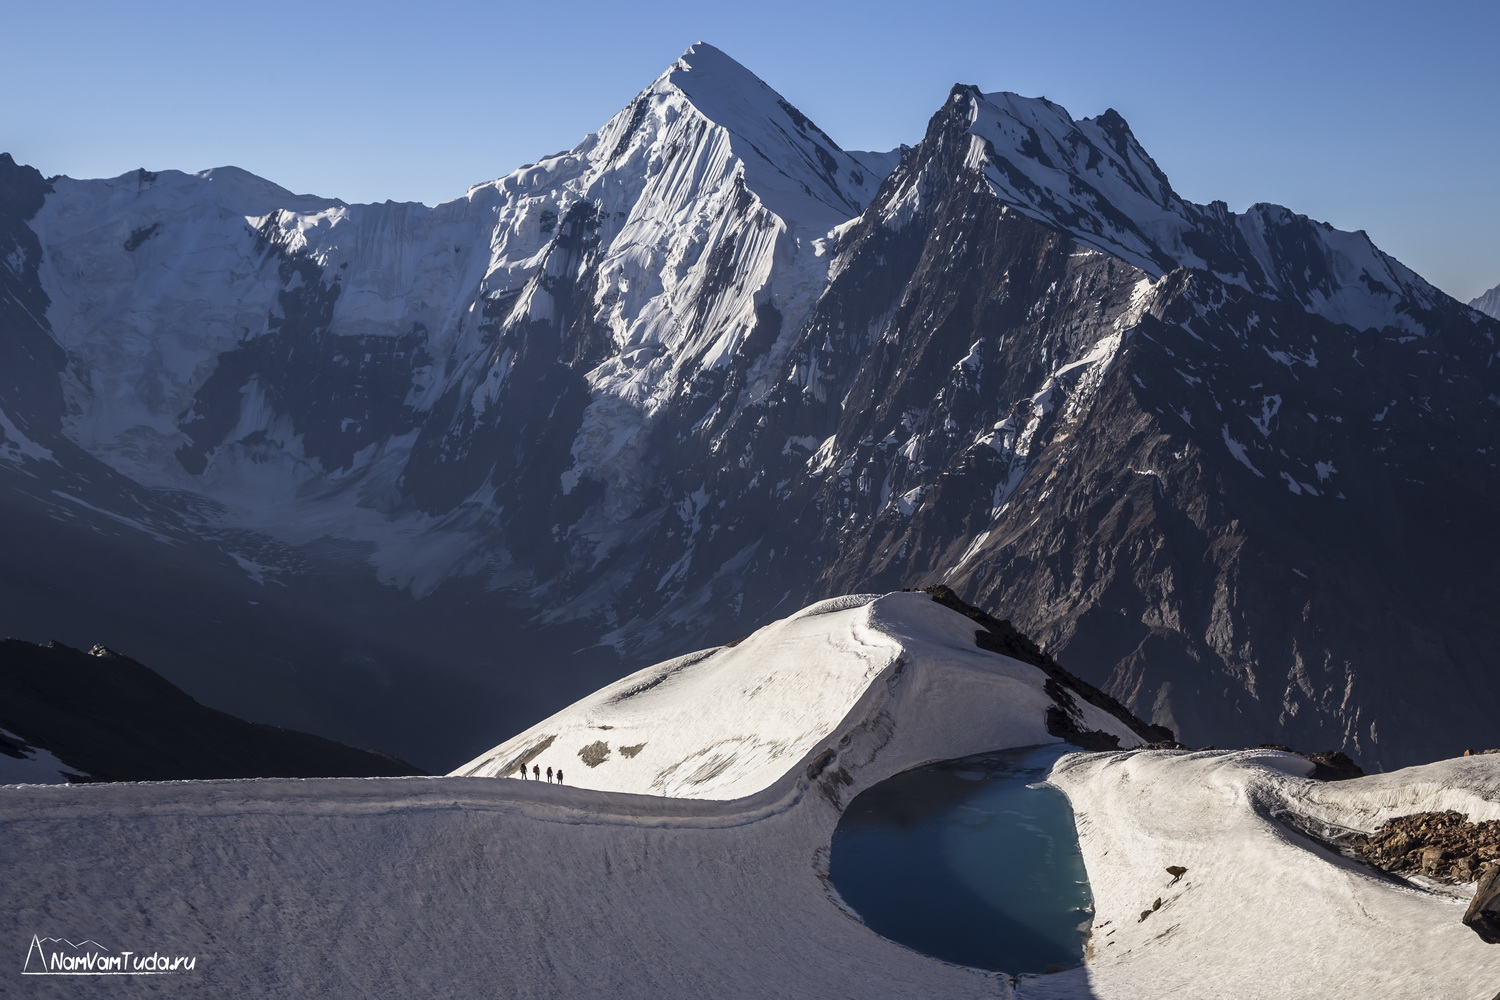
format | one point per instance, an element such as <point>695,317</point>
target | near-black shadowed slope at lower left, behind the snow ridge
<point>113,719</point>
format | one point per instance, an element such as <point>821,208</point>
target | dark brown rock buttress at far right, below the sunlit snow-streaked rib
<point>1336,569</point>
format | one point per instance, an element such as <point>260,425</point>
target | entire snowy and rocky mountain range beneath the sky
<point>418,476</point>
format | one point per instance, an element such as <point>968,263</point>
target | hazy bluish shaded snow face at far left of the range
<point>152,277</point>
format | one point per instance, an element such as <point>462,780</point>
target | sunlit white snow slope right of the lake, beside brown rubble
<point>1264,912</point>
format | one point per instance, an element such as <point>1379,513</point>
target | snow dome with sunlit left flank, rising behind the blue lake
<point>733,722</point>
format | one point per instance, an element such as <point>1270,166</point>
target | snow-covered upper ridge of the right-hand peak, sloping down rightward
<point>1093,179</point>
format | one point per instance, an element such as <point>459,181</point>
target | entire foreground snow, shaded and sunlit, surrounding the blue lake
<point>470,887</point>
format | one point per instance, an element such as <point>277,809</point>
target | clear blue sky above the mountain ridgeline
<point>1372,116</point>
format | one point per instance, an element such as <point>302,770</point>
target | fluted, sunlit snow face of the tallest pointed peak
<point>710,191</point>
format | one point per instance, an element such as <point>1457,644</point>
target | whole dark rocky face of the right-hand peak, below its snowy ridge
<point>1252,521</point>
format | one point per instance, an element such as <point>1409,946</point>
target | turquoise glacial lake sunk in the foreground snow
<point>970,861</point>
